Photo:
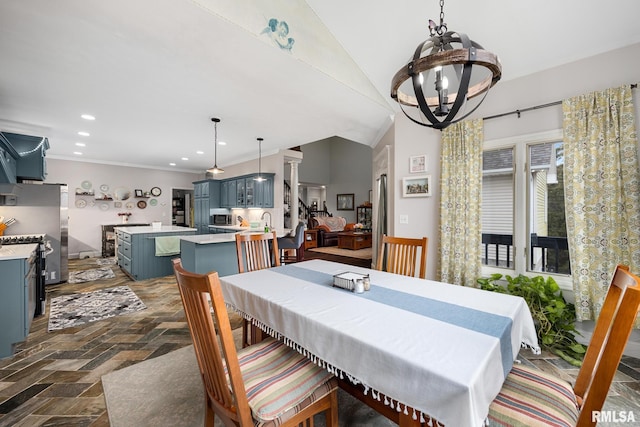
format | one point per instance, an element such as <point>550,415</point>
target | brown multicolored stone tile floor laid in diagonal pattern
<point>54,379</point>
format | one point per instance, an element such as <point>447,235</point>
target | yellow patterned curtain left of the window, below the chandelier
<point>460,260</point>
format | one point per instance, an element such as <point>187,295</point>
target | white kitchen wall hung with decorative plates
<point>85,232</point>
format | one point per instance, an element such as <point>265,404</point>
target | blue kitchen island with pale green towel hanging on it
<point>145,252</point>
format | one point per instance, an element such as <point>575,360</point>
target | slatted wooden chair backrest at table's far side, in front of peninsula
<point>257,251</point>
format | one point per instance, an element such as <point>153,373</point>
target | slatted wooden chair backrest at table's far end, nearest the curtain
<point>400,255</point>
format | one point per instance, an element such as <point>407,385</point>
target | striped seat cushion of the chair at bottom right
<point>530,397</point>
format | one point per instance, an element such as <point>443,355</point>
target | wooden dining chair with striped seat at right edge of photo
<point>532,397</point>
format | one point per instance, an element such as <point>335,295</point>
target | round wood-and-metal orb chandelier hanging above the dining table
<point>460,71</point>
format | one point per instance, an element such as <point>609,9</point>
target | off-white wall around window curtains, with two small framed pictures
<point>611,69</point>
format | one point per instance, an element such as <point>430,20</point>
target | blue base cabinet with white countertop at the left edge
<point>17,295</point>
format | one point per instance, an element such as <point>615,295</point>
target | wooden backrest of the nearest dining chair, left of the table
<point>227,395</point>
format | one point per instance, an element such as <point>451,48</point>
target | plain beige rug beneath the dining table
<point>167,391</point>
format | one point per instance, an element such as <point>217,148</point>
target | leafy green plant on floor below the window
<point>554,318</point>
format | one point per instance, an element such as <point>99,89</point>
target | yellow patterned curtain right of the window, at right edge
<point>602,192</point>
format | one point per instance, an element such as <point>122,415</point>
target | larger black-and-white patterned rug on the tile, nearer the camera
<point>76,309</point>
